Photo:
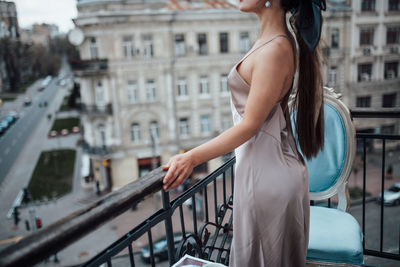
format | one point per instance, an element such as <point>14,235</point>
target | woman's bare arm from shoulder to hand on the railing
<point>267,81</point>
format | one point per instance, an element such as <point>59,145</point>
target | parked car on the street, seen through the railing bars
<point>160,249</point>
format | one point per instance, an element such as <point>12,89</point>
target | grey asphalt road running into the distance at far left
<point>15,138</point>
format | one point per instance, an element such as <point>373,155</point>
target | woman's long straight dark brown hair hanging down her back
<point>309,119</point>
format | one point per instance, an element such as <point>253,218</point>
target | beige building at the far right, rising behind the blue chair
<point>374,60</point>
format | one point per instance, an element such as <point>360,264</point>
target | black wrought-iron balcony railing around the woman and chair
<point>206,237</point>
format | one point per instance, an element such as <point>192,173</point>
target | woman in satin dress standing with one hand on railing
<point>271,203</point>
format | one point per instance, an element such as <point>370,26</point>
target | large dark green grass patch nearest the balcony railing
<point>53,174</point>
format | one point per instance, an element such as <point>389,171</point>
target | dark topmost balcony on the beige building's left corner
<point>89,67</point>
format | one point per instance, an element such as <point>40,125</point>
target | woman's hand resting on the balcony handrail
<point>179,168</point>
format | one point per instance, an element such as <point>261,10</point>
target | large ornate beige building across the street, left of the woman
<point>153,79</point>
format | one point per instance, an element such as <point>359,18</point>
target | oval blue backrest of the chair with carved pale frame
<point>330,169</point>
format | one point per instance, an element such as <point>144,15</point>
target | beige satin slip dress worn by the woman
<point>271,201</point>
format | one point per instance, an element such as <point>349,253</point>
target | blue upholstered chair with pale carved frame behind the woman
<point>335,235</point>
